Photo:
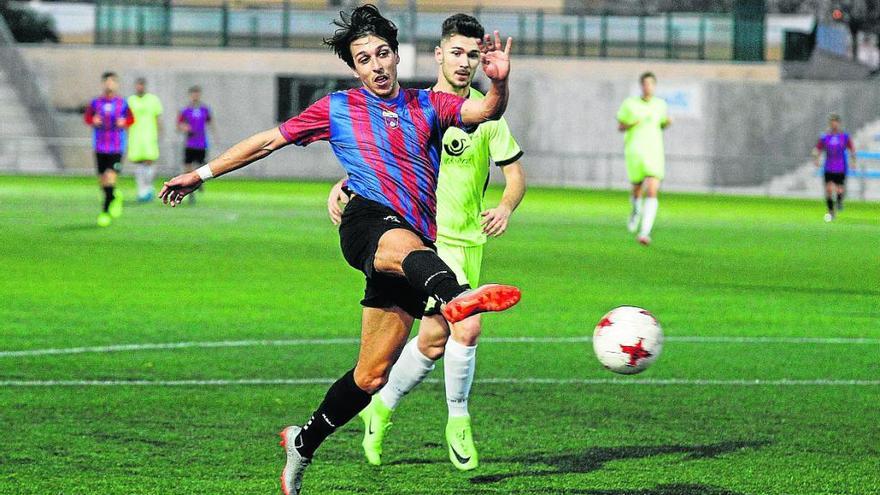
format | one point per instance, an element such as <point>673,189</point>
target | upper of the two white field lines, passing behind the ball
<point>489,340</point>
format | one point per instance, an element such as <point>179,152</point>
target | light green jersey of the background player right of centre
<point>644,141</point>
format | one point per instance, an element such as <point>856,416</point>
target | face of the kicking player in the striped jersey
<point>375,64</point>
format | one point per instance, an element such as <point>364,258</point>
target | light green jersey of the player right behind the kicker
<point>464,176</point>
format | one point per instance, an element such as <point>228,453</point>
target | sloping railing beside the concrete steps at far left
<point>29,91</point>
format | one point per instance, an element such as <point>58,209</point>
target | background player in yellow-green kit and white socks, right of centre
<point>643,119</point>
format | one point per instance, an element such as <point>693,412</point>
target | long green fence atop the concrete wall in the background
<point>665,36</point>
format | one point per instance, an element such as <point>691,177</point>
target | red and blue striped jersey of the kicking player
<point>390,148</point>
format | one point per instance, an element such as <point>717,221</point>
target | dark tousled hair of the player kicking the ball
<point>363,21</point>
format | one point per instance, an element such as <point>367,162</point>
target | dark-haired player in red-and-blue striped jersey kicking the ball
<point>388,140</point>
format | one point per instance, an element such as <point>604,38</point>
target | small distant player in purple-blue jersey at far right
<point>835,144</point>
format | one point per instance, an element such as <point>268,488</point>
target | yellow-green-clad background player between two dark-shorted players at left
<point>143,137</point>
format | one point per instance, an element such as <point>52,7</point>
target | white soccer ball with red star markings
<point>628,340</point>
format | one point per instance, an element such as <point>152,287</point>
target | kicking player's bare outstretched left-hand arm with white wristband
<point>242,154</point>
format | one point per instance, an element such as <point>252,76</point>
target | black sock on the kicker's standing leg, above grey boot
<point>343,401</point>
